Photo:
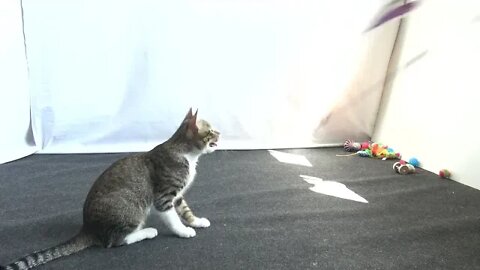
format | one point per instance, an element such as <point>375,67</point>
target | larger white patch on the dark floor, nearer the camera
<point>332,188</point>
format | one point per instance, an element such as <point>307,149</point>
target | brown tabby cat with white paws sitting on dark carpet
<point>132,188</point>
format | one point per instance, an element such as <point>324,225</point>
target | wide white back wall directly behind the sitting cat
<point>109,76</point>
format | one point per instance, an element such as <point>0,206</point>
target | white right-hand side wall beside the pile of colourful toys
<point>430,107</point>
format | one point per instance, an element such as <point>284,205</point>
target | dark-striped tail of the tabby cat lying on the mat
<point>80,242</point>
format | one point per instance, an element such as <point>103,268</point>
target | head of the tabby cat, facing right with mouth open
<point>198,133</point>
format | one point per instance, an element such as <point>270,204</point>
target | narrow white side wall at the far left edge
<point>15,135</point>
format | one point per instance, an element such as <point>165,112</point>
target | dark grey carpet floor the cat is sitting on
<point>263,216</point>
